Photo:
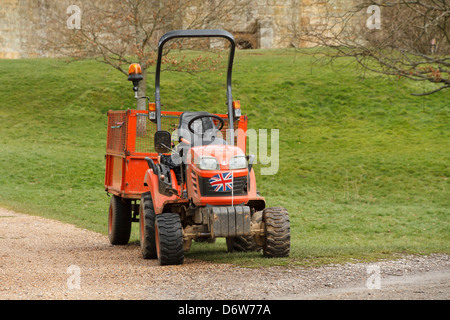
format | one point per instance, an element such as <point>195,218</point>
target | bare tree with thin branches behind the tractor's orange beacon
<point>119,32</point>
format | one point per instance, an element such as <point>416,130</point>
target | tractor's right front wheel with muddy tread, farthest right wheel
<point>278,233</point>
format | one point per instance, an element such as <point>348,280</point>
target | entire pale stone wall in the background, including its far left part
<point>264,24</point>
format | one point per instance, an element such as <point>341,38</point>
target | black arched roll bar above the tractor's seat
<point>196,34</point>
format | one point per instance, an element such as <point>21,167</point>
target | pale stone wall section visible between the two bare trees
<point>277,23</point>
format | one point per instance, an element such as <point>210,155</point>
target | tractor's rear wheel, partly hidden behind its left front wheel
<point>147,227</point>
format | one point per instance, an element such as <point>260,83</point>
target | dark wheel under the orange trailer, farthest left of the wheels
<point>119,221</point>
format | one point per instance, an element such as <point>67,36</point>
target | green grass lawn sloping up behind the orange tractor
<point>363,167</point>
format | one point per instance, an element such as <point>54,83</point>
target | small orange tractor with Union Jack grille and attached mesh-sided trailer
<point>200,189</point>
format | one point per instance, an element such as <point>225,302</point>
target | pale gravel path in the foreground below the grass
<point>45,259</point>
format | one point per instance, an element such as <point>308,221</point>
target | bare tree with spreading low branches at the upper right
<point>403,38</point>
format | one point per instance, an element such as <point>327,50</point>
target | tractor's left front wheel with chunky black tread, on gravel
<point>169,239</point>
